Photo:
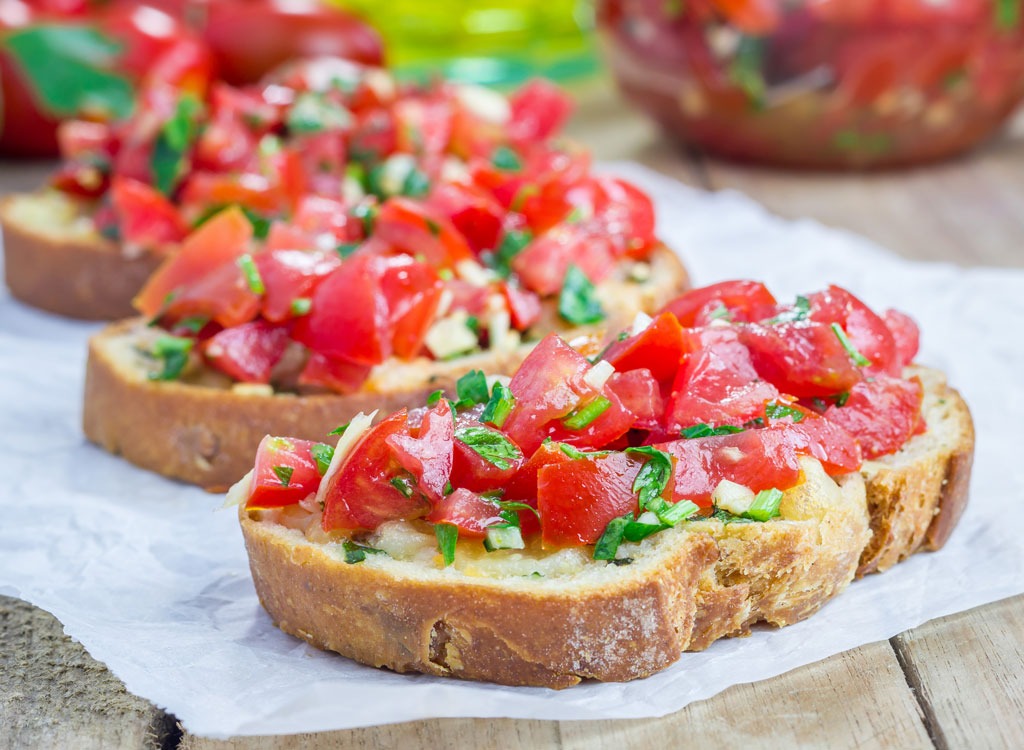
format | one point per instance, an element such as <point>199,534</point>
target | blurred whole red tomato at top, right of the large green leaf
<point>249,38</point>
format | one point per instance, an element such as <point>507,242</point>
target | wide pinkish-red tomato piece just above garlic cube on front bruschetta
<point>759,460</point>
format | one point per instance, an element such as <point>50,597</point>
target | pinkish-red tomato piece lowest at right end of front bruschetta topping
<point>882,414</point>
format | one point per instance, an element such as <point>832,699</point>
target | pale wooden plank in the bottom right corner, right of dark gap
<point>967,670</point>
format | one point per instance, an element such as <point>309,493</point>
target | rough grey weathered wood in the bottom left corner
<point>55,695</point>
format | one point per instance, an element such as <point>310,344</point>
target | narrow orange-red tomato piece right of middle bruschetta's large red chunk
<point>413,291</point>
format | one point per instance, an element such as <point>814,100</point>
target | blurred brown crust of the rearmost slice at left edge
<point>78,276</point>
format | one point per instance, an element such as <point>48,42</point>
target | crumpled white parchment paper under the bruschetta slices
<point>152,577</point>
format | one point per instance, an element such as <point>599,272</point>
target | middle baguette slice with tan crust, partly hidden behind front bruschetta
<point>205,432</point>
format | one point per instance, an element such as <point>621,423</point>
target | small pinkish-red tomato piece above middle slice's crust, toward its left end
<point>247,353</point>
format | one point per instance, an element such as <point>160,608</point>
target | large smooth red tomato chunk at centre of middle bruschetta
<point>349,319</point>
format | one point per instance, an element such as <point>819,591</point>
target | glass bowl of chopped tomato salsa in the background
<point>821,84</point>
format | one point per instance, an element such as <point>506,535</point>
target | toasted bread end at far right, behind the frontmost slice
<point>917,495</point>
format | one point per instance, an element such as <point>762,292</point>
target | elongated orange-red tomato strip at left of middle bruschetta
<point>222,240</point>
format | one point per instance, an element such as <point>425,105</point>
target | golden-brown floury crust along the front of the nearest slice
<point>393,614</point>
